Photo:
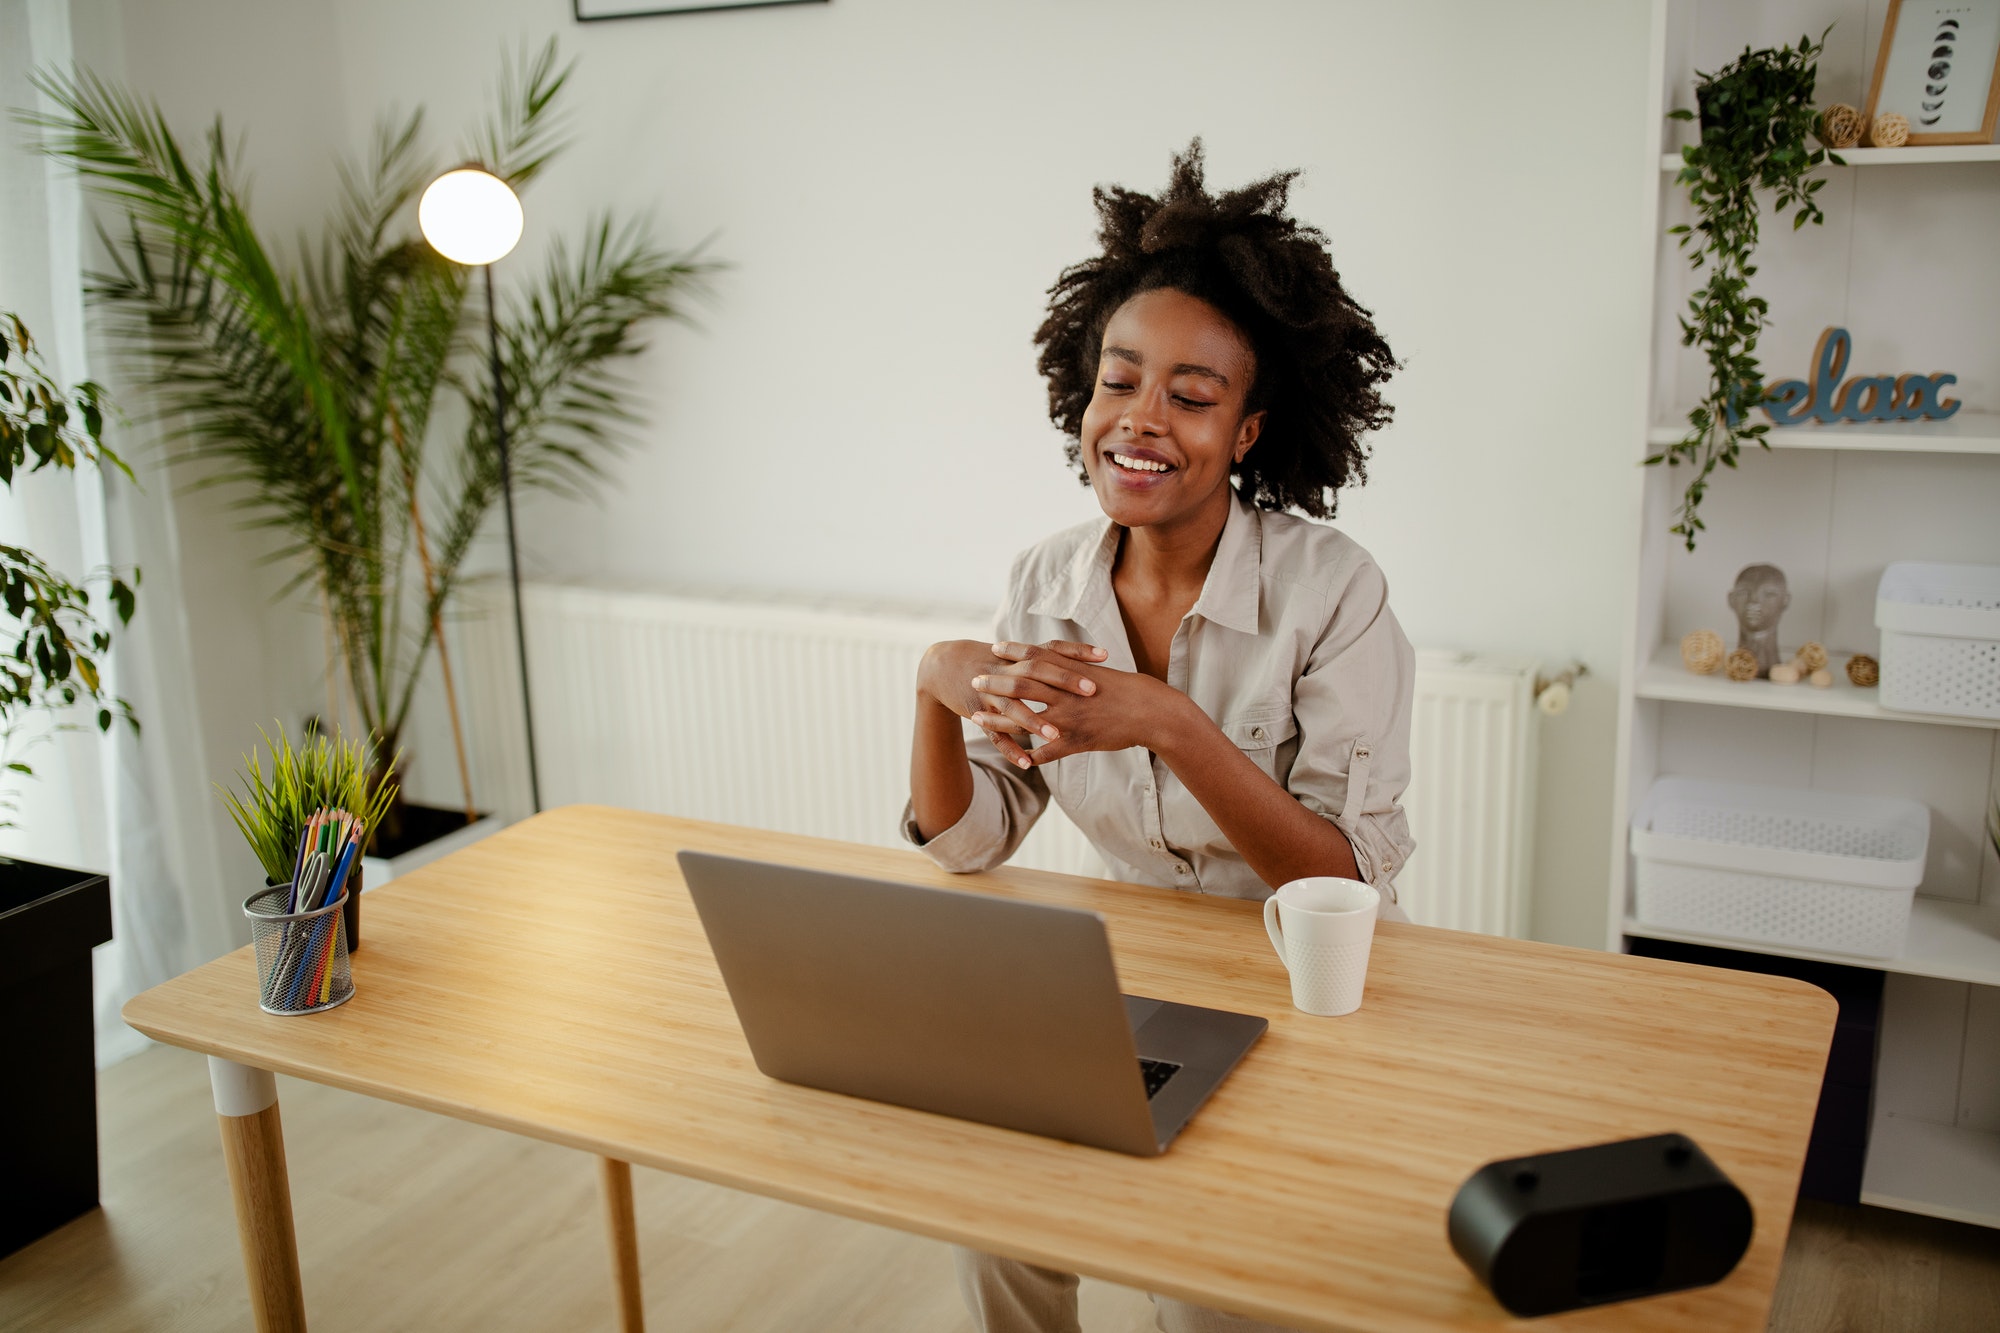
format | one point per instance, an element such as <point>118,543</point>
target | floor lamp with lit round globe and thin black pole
<point>471,217</point>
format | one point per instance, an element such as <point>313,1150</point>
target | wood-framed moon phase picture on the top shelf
<point>1941,67</point>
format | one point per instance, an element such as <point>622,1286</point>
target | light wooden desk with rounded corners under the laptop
<point>555,982</point>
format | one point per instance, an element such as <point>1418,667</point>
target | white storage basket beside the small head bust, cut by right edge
<point>1941,639</point>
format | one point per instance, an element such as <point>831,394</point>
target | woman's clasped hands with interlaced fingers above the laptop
<point>1087,706</point>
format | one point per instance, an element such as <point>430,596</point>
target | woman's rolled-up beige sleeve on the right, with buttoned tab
<point>1353,710</point>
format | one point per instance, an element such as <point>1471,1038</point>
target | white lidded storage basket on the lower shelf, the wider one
<point>1813,870</point>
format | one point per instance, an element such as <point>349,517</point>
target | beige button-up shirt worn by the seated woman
<point>1291,649</point>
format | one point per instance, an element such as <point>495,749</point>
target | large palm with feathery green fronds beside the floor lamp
<point>343,393</point>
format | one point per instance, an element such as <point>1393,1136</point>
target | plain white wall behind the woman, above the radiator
<point>897,183</point>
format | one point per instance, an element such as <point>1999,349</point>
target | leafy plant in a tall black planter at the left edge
<point>51,916</point>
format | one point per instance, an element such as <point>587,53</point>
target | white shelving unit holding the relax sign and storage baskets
<point>1907,263</point>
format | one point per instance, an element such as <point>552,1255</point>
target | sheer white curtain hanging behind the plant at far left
<point>131,806</point>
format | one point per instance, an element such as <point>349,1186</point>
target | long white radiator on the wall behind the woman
<point>799,718</point>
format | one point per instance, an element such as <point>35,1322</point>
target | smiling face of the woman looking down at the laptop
<point>1167,417</point>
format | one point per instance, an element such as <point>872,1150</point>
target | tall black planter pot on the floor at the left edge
<point>49,1118</point>
